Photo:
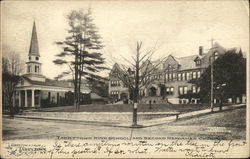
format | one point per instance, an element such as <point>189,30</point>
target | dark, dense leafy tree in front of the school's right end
<point>229,72</point>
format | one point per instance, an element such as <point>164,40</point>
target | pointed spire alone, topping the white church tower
<point>34,42</point>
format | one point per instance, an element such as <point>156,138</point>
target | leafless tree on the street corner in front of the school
<point>139,73</point>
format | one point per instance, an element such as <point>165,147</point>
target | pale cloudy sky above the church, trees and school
<point>173,27</point>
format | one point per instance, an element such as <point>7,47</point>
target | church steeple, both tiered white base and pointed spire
<point>33,65</point>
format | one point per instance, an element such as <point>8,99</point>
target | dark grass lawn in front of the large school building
<point>128,108</point>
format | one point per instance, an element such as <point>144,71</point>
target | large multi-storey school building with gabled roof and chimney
<point>170,80</point>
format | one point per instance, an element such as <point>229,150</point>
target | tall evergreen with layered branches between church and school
<point>82,45</point>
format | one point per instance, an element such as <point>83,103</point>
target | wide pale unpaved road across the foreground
<point>223,125</point>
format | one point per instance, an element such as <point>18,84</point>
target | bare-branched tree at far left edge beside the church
<point>12,66</point>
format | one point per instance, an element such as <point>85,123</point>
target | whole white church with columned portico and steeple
<point>35,90</point>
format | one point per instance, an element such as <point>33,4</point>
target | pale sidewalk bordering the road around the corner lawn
<point>145,123</point>
